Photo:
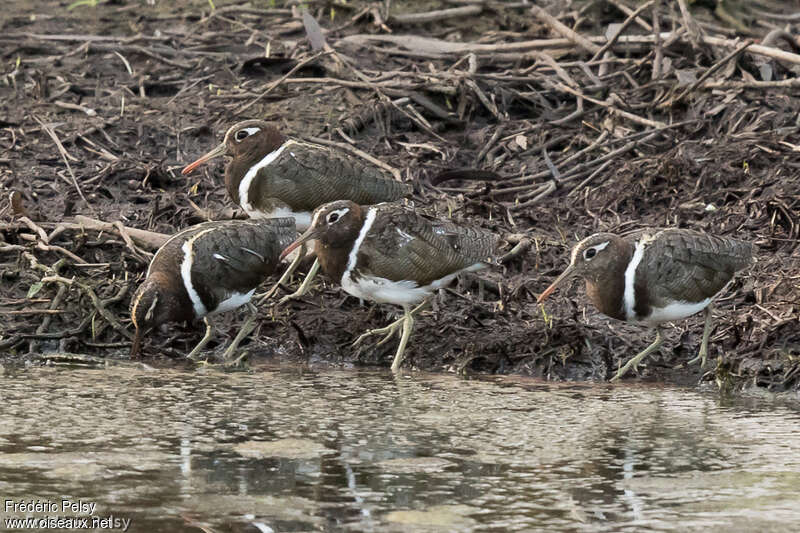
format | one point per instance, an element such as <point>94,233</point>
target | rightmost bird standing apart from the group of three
<point>658,277</point>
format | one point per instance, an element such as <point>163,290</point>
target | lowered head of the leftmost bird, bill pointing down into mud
<point>153,304</point>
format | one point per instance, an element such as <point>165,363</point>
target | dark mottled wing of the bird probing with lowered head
<point>241,252</point>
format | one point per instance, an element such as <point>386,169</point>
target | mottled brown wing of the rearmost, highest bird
<point>305,176</point>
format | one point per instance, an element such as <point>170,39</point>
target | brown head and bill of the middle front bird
<point>334,225</point>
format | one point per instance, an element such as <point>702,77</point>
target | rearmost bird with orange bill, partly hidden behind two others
<point>271,175</point>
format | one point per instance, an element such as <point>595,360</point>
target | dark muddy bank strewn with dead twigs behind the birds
<point>570,146</point>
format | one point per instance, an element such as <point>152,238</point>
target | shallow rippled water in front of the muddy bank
<point>298,450</point>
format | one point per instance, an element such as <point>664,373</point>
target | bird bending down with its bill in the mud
<point>207,269</point>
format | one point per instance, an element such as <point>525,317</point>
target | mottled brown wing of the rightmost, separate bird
<point>690,266</point>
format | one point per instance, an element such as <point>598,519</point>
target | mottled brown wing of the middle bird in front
<point>404,245</point>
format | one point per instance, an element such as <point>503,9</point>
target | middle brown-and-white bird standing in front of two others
<point>389,253</point>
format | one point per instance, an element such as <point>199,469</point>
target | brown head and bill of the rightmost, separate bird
<point>598,259</point>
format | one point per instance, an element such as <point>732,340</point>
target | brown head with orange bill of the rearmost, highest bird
<point>247,142</point>
